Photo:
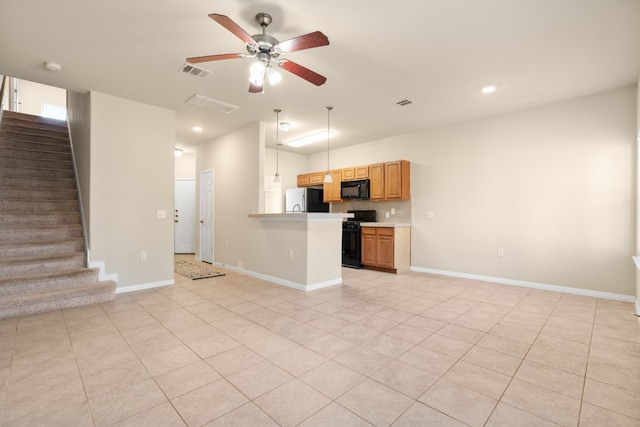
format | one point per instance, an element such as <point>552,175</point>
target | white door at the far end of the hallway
<point>184,217</point>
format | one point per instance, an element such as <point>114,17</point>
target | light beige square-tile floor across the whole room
<point>403,350</point>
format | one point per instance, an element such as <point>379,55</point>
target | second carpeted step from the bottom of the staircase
<point>65,278</point>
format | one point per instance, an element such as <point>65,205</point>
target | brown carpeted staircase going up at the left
<point>42,256</point>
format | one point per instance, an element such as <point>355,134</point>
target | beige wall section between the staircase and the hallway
<point>131,177</point>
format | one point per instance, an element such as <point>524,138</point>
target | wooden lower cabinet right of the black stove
<point>386,248</point>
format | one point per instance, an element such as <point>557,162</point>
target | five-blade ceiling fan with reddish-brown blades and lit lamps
<point>267,49</point>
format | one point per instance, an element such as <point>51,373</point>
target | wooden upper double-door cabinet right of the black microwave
<point>390,181</point>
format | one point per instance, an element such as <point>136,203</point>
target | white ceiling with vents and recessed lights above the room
<point>438,53</point>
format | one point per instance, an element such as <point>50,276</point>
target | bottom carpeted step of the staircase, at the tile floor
<point>38,302</point>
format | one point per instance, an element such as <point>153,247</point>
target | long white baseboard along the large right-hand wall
<point>534,285</point>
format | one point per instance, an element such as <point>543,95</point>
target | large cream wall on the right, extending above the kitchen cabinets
<point>554,186</point>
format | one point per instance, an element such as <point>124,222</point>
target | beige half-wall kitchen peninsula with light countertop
<point>299,250</point>
